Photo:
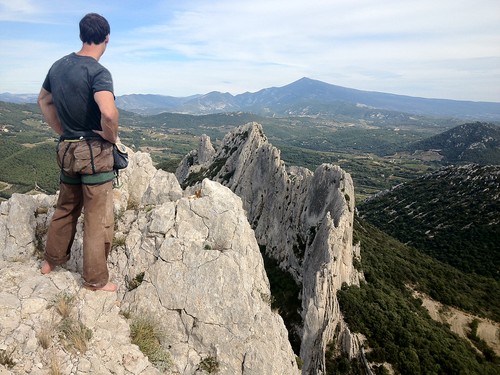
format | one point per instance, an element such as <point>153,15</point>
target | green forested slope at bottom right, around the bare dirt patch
<point>398,328</point>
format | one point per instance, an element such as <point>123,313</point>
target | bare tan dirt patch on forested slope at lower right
<point>459,321</point>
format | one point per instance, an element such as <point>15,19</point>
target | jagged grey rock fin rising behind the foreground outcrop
<point>305,221</point>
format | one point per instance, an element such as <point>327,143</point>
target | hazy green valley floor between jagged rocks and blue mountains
<point>362,149</point>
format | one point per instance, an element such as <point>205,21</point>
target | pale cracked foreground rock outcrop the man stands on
<point>187,260</point>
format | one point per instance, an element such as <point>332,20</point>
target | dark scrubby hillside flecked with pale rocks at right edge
<point>451,214</point>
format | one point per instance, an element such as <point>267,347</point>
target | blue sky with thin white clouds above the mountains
<point>428,48</point>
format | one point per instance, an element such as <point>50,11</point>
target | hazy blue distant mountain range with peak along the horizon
<point>305,97</point>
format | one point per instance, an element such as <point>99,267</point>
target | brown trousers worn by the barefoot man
<point>97,203</point>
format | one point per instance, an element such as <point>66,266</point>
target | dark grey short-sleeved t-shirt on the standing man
<point>73,80</point>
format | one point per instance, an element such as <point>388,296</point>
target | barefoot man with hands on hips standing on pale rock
<point>78,103</point>
